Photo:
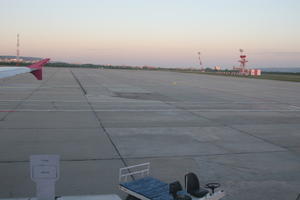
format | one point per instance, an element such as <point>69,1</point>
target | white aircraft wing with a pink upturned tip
<point>36,69</point>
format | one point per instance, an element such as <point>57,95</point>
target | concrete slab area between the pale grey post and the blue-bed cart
<point>90,177</point>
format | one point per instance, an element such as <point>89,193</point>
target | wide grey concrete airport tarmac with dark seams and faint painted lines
<point>243,133</point>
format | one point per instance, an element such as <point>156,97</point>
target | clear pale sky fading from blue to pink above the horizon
<point>165,33</point>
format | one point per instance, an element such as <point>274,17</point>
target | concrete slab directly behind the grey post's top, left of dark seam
<point>70,144</point>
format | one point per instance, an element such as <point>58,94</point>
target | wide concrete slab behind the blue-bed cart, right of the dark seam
<point>154,142</point>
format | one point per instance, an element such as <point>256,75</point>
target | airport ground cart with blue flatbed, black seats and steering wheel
<point>139,185</point>
